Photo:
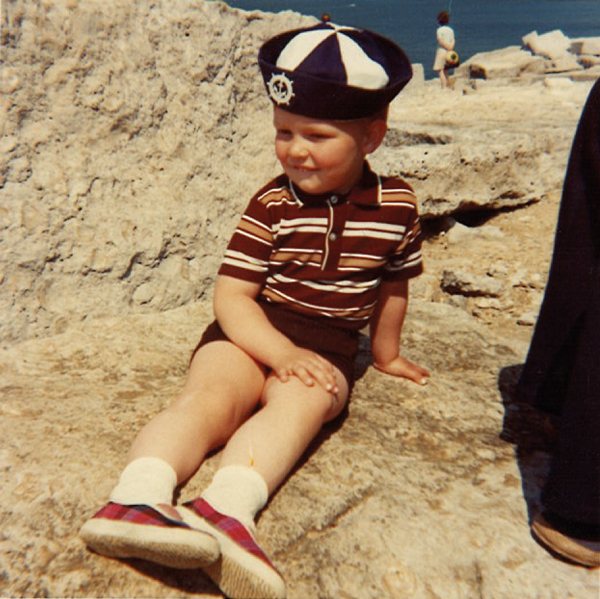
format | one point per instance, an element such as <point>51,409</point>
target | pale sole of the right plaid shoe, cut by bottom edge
<point>239,574</point>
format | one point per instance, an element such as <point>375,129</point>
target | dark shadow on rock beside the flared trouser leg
<point>533,435</point>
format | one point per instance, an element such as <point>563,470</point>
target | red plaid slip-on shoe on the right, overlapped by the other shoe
<point>244,571</point>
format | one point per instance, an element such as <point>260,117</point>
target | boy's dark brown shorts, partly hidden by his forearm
<point>337,344</point>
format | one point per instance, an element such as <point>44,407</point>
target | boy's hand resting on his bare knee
<point>308,366</point>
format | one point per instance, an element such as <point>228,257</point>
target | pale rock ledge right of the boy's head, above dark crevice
<point>485,163</point>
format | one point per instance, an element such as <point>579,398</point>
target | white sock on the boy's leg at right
<point>239,492</point>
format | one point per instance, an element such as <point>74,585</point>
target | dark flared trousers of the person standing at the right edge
<point>562,373</point>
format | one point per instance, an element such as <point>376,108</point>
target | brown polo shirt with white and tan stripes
<point>327,254</point>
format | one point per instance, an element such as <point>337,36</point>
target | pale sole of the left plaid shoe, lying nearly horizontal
<point>169,546</point>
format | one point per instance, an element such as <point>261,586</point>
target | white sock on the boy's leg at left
<point>145,481</point>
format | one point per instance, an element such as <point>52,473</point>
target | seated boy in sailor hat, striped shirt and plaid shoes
<point>321,251</point>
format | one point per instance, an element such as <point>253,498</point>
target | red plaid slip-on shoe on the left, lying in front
<point>154,533</point>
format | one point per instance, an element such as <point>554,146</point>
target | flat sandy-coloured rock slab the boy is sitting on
<point>409,473</point>
